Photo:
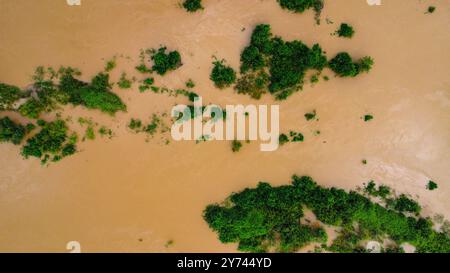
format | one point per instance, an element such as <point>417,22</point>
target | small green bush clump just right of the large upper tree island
<point>344,66</point>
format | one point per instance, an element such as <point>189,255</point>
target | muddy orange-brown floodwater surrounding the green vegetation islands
<point>126,194</point>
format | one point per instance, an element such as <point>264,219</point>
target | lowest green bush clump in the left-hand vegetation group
<point>51,142</point>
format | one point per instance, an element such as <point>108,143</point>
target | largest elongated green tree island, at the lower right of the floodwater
<point>267,218</point>
